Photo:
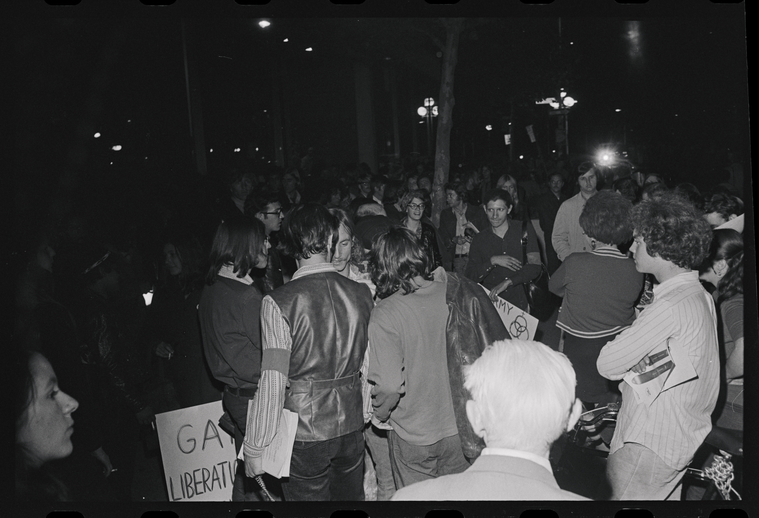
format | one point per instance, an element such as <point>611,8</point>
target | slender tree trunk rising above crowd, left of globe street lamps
<point>453,29</point>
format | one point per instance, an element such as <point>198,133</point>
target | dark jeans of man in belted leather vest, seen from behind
<point>331,470</point>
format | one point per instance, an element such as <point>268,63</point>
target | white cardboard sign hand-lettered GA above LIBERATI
<point>198,456</point>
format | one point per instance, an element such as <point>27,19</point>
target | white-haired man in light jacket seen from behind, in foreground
<point>522,401</point>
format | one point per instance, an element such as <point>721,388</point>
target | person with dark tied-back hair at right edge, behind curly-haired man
<point>723,269</point>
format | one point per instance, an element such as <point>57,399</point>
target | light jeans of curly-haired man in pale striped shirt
<point>637,473</point>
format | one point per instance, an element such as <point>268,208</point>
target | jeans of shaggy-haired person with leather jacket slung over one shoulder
<point>412,463</point>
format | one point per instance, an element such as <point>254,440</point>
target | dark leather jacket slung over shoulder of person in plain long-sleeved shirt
<point>473,324</point>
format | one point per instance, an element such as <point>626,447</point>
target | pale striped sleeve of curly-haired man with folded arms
<point>648,332</point>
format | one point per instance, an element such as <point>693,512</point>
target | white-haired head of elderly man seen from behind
<point>523,396</point>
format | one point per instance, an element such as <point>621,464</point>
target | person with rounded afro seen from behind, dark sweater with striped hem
<point>600,289</point>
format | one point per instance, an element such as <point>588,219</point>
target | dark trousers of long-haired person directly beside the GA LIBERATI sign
<point>245,489</point>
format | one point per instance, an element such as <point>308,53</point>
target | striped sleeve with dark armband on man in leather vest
<point>263,417</point>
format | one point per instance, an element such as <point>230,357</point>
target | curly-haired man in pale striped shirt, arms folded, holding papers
<point>653,444</point>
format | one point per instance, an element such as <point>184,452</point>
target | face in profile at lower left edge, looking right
<point>46,426</point>
